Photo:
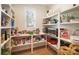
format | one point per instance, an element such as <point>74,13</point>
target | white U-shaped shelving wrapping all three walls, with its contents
<point>56,22</point>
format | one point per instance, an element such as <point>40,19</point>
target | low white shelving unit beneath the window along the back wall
<point>31,43</point>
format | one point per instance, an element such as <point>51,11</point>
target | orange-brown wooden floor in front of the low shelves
<point>37,51</point>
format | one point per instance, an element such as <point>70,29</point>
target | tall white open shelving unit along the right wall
<point>71,24</point>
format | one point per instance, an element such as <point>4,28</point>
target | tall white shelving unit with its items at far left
<point>5,28</point>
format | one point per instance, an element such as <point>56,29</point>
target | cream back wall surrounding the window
<point>20,15</point>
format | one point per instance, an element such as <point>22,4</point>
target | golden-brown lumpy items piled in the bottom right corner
<point>73,49</point>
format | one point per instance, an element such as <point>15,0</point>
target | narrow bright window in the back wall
<point>31,18</point>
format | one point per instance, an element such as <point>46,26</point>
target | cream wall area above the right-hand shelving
<point>59,8</point>
